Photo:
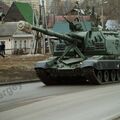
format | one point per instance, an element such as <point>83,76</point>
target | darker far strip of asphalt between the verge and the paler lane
<point>12,96</point>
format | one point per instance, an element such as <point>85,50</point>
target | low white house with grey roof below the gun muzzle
<point>16,42</point>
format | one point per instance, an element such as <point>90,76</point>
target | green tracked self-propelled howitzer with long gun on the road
<point>83,55</point>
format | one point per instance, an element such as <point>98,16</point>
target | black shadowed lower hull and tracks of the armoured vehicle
<point>91,76</point>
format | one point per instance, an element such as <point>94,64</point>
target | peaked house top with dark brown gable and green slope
<point>19,11</point>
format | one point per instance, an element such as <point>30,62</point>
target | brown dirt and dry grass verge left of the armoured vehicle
<point>19,68</point>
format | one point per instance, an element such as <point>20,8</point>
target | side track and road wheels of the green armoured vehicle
<point>101,77</point>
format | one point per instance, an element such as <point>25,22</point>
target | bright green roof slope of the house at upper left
<point>26,11</point>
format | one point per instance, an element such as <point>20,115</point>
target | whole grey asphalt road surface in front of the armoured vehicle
<point>83,102</point>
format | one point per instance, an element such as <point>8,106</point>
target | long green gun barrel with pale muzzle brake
<point>26,27</point>
